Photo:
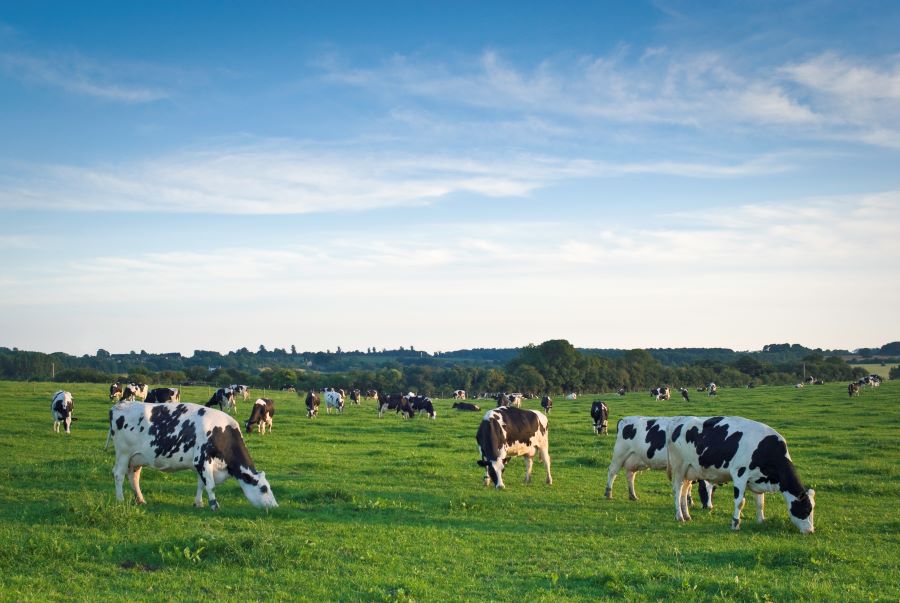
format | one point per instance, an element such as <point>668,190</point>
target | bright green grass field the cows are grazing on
<point>394,510</point>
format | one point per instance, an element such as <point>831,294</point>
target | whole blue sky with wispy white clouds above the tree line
<point>446,175</point>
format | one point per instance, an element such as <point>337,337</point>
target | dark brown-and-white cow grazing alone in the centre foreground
<point>507,432</point>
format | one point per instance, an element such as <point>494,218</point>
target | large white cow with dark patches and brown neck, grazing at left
<point>171,437</point>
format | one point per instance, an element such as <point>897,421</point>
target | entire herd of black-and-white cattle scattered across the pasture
<point>167,434</point>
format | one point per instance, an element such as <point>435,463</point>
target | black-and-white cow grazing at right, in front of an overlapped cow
<point>751,455</point>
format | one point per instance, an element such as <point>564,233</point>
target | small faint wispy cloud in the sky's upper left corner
<point>79,75</point>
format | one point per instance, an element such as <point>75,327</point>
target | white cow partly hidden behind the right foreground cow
<point>641,444</point>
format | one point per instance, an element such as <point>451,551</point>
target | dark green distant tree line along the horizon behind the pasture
<point>554,366</point>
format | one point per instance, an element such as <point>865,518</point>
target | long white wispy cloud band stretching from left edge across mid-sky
<point>273,177</point>
